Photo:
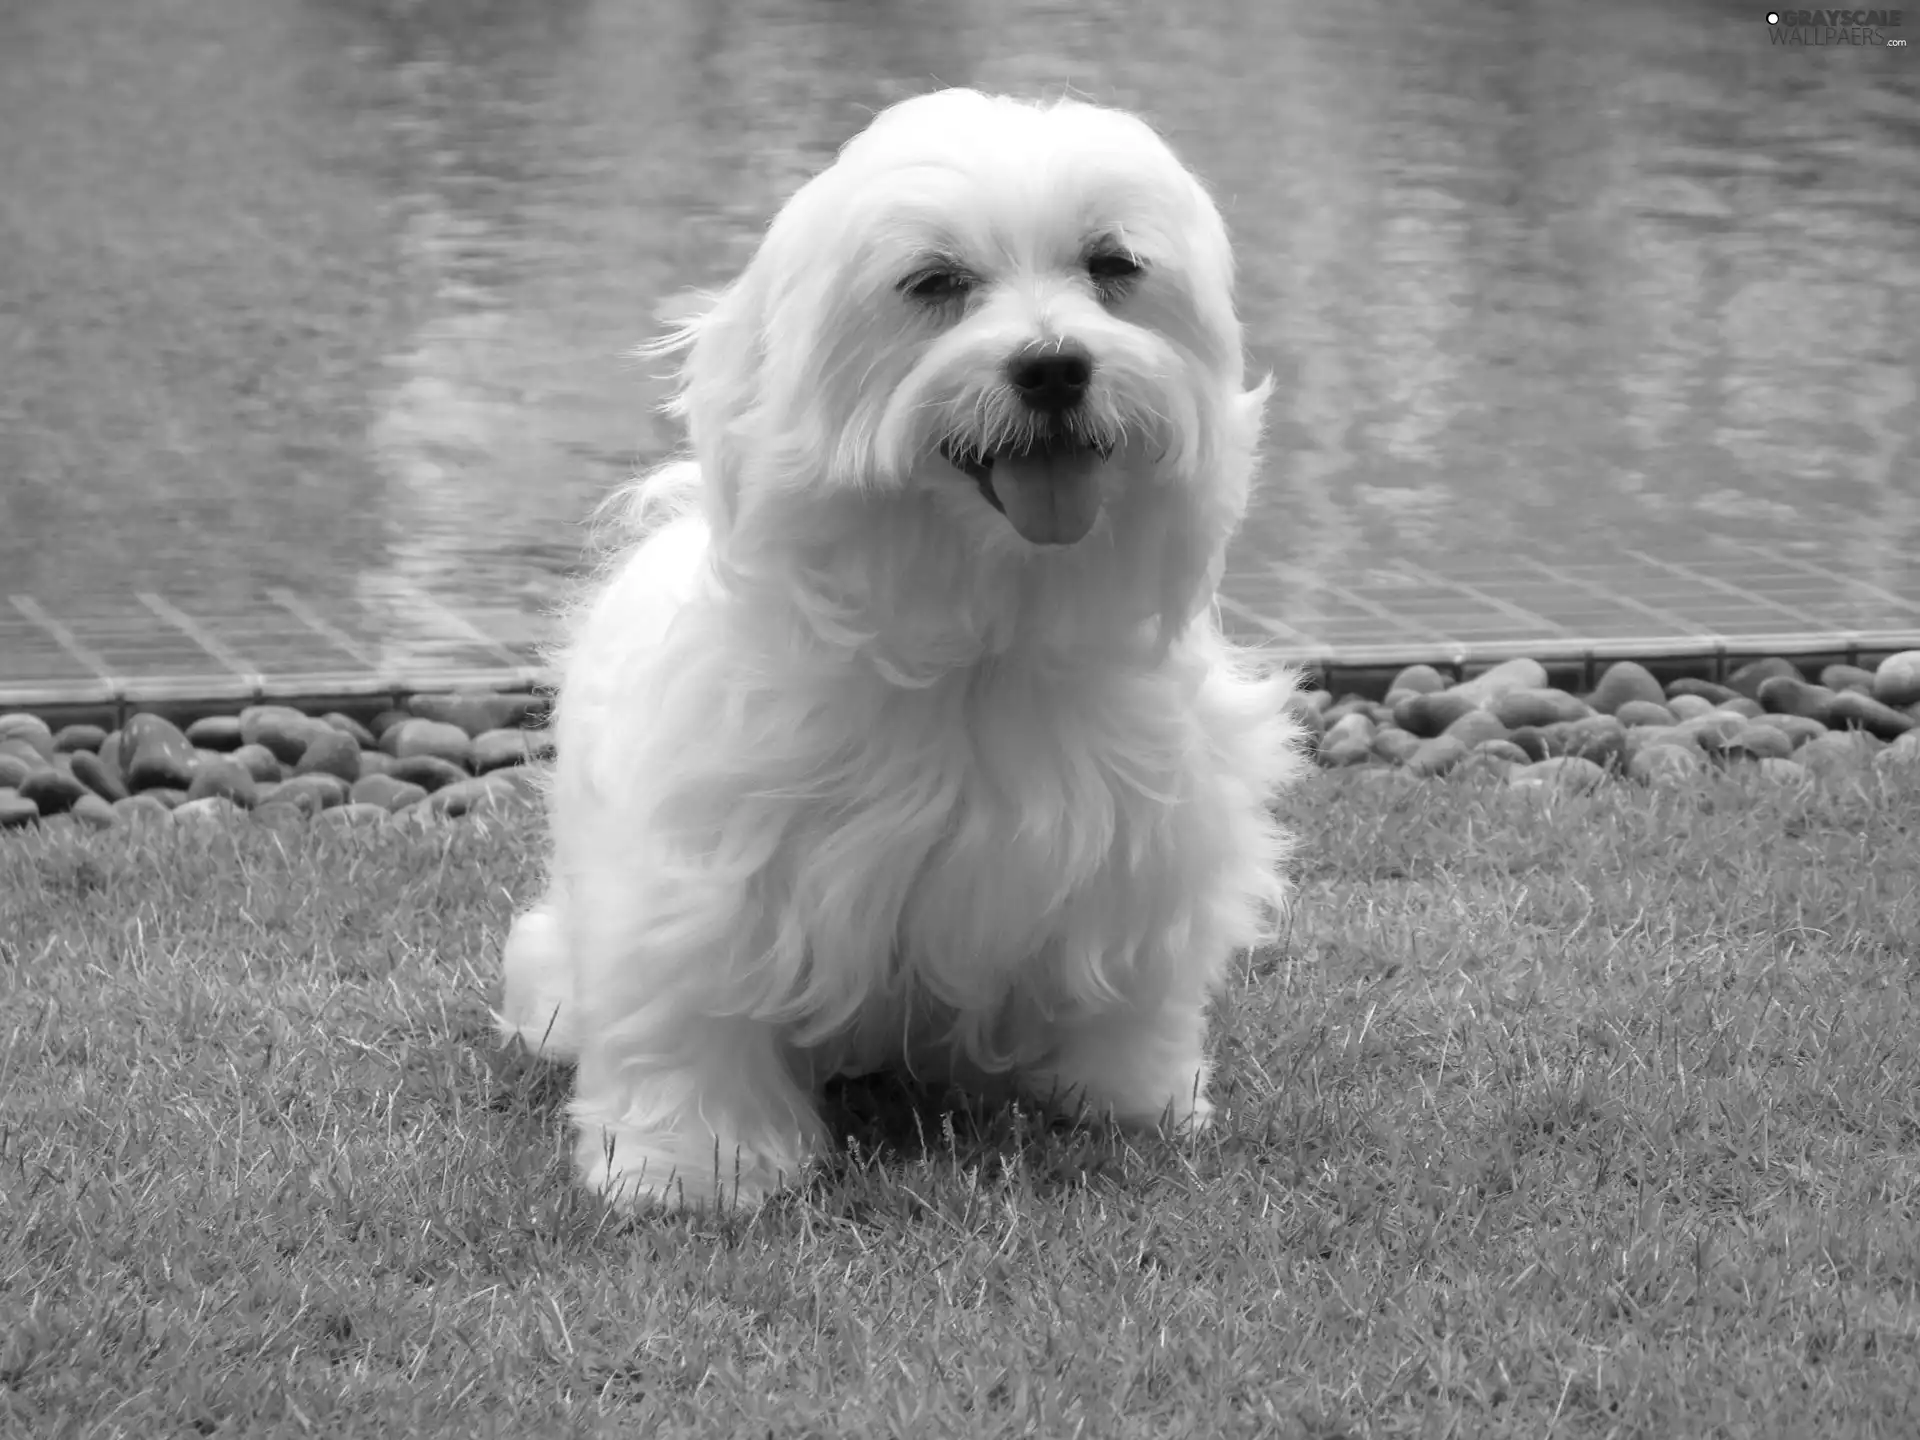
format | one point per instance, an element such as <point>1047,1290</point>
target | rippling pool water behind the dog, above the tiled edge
<point>1529,276</point>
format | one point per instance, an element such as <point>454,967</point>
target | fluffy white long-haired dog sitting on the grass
<point>905,731</point>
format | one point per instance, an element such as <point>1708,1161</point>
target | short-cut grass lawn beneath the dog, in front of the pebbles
<point>1554,1116</point>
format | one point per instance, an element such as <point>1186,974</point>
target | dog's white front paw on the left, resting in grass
<point>638,1172</point>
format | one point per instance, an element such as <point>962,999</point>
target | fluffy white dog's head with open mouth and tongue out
<point>1007,324</point>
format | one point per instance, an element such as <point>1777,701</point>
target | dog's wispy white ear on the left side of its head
<point>717,337</point>
